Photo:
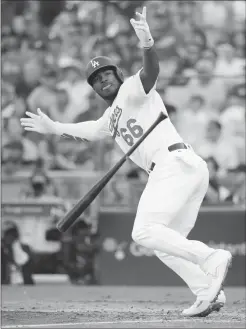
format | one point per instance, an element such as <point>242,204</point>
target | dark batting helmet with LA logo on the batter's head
<point>99,63</point>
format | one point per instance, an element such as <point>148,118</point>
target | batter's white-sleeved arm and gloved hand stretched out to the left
<point>41,123</point>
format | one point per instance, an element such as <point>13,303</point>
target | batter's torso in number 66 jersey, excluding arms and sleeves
<point>128,121</point>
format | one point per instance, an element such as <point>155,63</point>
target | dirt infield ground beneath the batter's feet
<point>56,306</point>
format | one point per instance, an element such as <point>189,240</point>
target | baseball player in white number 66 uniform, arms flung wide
<point>178,178</point>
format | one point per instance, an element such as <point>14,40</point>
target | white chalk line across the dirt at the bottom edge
<point>211,321</point>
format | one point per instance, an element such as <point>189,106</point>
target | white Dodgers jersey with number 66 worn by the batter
<point>131,114</point>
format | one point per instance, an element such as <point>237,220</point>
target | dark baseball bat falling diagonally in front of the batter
<point>85,201</point>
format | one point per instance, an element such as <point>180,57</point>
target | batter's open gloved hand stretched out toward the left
<point>40,123</point>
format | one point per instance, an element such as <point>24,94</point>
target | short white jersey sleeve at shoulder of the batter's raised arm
<point>136,90</point>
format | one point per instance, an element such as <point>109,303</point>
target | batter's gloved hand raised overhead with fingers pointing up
<point>141,28</point>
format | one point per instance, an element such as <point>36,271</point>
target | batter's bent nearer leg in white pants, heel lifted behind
<point>166,194</point>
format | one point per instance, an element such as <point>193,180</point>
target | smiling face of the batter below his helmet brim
<point>106,84</point>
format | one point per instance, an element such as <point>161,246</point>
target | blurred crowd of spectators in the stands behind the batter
<point>201,45</point>
